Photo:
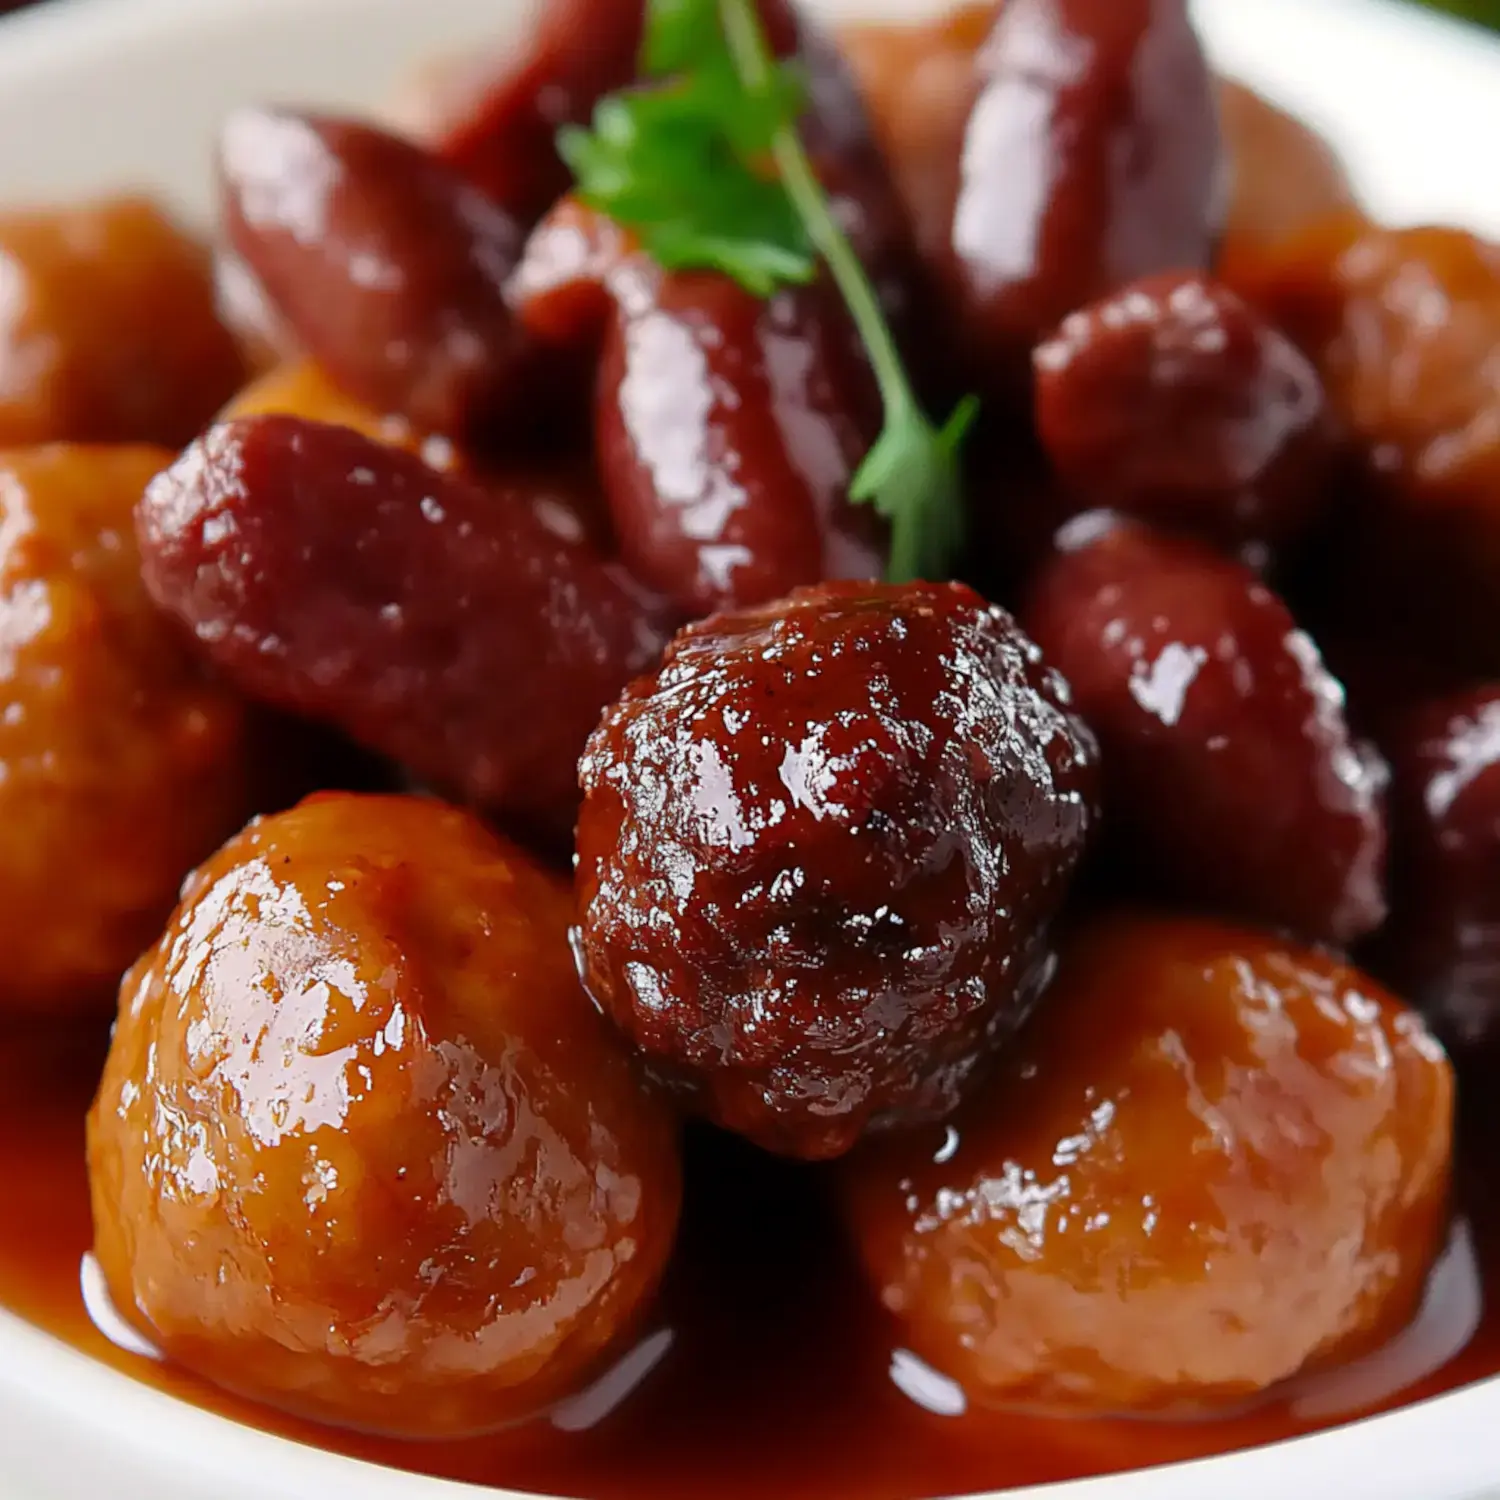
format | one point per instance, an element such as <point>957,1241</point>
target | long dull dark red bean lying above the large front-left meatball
<point>439,623</point>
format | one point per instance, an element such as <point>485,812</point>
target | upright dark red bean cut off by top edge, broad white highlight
<point>1093,158</point>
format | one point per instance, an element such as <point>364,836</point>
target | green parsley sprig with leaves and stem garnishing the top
<point>710,170</point>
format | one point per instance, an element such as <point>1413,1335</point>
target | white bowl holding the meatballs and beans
<point>106,94</point>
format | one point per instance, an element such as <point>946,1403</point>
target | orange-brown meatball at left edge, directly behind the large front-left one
<point>121,764</point>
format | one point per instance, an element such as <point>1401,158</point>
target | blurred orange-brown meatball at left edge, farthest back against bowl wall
<point>112,334</point>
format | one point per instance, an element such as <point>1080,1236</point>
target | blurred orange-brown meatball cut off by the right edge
<point>1420,392</point>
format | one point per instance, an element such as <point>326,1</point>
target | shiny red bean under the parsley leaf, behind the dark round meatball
<point>728,433</point>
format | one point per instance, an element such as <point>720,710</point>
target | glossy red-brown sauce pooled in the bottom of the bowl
<point>778,1378</point>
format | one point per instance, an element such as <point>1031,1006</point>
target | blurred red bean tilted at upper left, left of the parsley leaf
<point>388,266</point>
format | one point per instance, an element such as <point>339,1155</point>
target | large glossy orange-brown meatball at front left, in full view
<point>362,1150</point>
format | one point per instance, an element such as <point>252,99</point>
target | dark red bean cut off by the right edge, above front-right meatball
<point>1442,947</point>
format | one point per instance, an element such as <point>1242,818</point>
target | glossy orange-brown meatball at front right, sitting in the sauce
<point>1211,1163</point>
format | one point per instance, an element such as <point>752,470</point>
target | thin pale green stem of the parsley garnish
<point>757,68</point>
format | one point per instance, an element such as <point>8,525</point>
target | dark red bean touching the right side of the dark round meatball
<point>1232,776</point>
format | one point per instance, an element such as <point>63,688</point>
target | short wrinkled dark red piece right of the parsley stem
<point>1171,400</point>
